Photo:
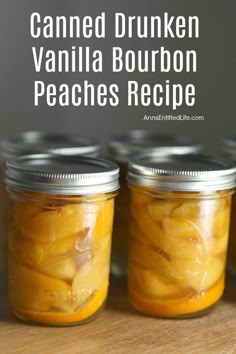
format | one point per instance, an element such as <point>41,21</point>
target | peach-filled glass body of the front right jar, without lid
<point>174,246</point>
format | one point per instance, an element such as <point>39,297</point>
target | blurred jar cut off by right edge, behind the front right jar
<point>229,149</point>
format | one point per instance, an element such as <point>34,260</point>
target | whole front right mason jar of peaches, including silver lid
<point>180,213</point>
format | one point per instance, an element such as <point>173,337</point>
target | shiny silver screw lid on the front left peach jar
<point>64,175</point>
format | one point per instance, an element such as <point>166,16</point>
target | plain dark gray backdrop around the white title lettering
<point>214,80</point>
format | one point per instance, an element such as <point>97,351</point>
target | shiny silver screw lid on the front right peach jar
<point>198,173</point>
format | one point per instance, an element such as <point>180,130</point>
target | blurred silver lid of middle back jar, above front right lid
<point>122,146</point>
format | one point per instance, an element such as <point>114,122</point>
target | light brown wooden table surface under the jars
<point>120,329</point>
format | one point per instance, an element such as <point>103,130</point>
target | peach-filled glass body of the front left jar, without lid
<point>59,242</point>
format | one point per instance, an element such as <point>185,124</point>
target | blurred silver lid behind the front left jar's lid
<point>31,142</point>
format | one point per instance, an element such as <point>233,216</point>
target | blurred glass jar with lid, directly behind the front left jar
<point>35,142</point>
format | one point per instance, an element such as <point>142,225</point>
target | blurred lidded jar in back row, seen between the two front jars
<point>120,149</point>
